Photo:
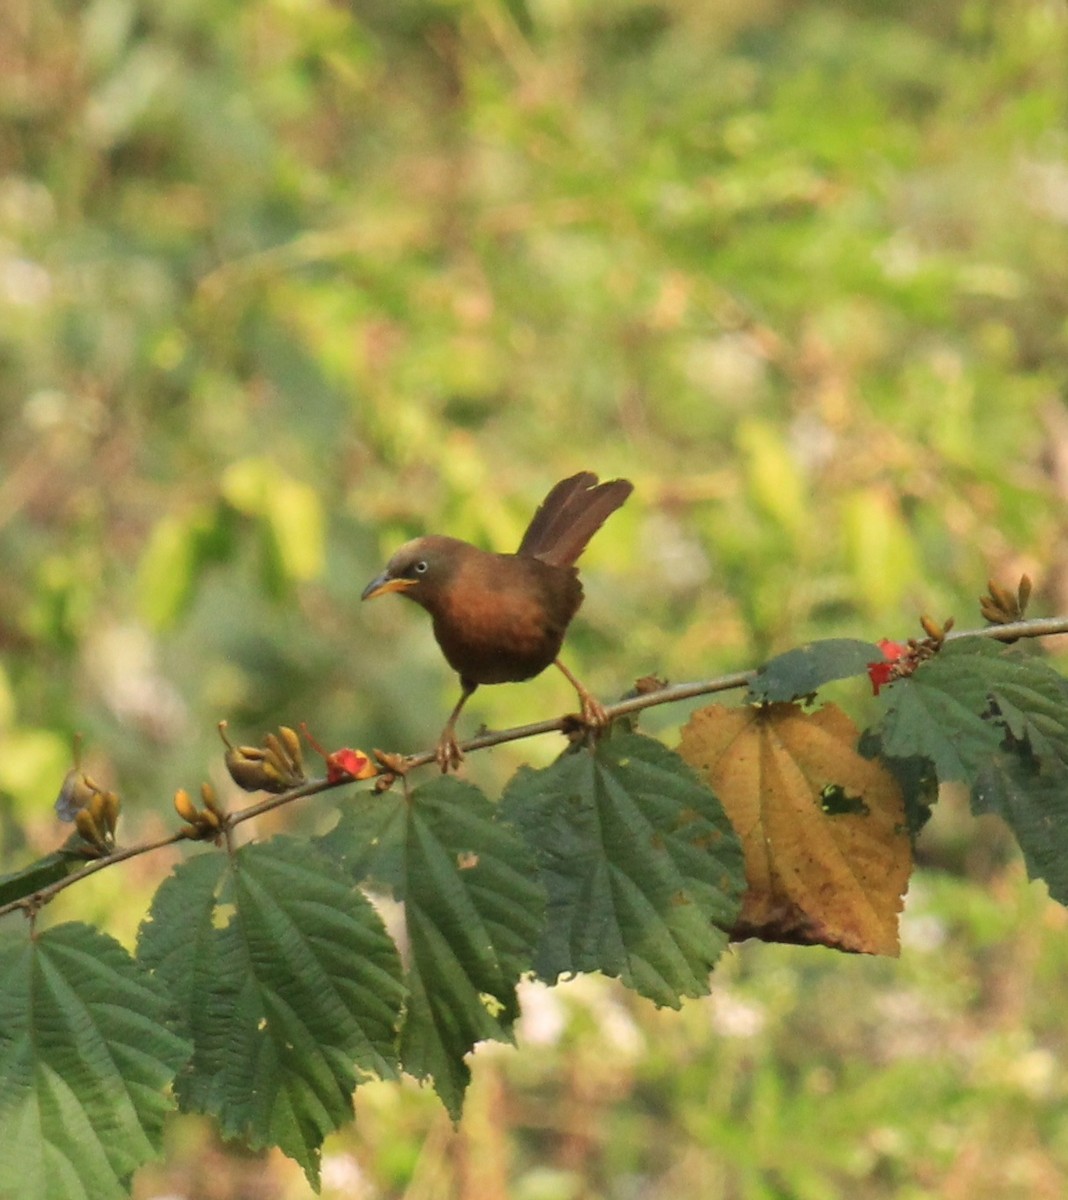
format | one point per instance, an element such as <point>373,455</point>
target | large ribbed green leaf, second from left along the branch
<point>287,982</point>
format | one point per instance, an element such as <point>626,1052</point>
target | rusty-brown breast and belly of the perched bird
<point>503,617</point>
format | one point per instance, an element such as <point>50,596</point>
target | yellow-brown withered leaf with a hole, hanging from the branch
<point>827,854</point>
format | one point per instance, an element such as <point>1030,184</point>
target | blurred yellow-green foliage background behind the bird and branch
<point>286,283</point>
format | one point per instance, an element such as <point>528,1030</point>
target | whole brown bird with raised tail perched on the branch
<point>501,619</point>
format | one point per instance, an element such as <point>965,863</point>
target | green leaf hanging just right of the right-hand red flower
<point>941,711</point>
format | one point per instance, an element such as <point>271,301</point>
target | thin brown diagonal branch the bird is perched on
<point>1046,627</point>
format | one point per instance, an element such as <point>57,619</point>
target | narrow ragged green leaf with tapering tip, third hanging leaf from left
<point>473,916</point>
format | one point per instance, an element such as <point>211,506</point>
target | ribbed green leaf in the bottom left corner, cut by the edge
<point>87,1054</point>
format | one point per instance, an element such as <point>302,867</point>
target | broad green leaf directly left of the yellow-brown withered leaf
<point>643,868</point>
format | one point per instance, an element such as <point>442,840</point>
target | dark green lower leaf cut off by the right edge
<point>1033,801</point>
